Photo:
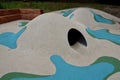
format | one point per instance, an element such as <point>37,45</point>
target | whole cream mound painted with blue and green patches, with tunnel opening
<point>73,42</point>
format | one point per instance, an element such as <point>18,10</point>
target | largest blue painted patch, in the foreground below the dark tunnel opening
<point>65,71</point>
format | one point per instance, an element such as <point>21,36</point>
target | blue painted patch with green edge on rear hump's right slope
<point>101,19</point>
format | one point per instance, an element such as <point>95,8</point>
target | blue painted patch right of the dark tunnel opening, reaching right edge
<point>104,34</point>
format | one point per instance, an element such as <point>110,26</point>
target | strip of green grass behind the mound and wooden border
<point>49,6</point>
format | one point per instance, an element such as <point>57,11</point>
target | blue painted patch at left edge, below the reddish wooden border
<point>9,39</point>
